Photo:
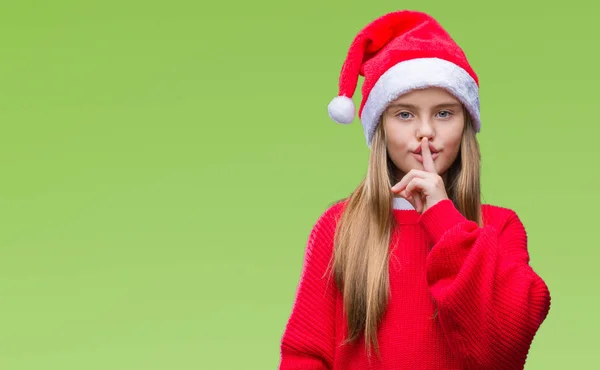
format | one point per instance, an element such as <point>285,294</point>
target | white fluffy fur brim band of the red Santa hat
<point>416,74</point>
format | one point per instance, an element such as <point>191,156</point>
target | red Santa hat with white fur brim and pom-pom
<point>397,53</point>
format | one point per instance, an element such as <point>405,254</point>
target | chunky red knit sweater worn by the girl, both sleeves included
<point>490,301</point>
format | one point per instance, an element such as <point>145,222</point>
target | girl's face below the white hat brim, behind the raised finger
<point>433,113</point>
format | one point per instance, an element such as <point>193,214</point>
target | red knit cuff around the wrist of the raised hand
<point>440,218</point>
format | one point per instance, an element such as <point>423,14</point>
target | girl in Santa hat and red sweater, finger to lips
<point>412,271</point>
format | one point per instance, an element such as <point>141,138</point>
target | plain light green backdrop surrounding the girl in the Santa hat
<point>163,163</point>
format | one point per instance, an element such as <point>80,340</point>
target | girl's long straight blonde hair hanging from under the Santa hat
<point>362,237</point>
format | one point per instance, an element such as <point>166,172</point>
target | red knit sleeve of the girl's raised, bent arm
<point>490,301</point>
